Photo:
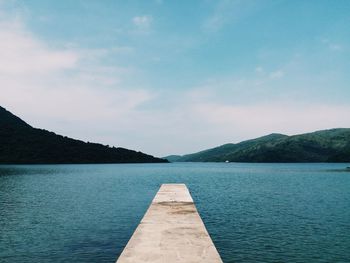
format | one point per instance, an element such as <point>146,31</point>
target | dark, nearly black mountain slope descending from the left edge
<point>20,143</point>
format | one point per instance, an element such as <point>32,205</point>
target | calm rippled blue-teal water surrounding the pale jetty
<point>253,212</point>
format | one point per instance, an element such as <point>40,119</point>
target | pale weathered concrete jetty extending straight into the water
<point>171,231</point>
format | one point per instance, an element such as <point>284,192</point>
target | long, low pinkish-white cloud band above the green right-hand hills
<point>286,116</point>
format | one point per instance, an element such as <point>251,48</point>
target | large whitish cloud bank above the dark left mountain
<point>48,87</point>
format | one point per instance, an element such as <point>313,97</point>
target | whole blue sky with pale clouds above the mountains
<point>175,77</point>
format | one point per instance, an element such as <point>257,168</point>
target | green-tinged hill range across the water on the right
<point>320,146</point>
